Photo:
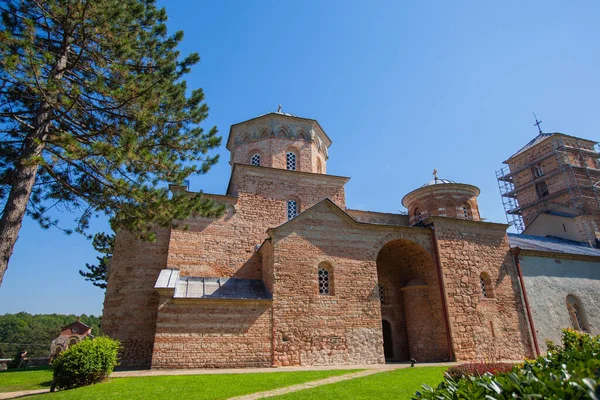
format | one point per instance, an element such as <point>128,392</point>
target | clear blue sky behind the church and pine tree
<point>400,87</point>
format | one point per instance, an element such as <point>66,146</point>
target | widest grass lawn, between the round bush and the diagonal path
<point>198,387</point>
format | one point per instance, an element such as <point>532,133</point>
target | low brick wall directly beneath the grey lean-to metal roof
<point>212,334</point>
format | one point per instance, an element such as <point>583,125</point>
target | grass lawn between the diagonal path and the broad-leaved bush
<point>398,384</point>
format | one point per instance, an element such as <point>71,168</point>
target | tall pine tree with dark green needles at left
<point>95,117</point>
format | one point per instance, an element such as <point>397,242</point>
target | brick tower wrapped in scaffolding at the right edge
<point>570,178</point>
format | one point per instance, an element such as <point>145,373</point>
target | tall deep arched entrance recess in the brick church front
<point>411,305</point>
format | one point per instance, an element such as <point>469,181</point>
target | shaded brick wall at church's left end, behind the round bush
<point>130,303</point>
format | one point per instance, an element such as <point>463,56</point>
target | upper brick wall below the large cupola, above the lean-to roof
<point>225,247</point>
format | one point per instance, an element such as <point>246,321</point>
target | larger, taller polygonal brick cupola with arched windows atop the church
<point>280,140</point>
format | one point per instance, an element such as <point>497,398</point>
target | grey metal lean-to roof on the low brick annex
<point>198,287</point>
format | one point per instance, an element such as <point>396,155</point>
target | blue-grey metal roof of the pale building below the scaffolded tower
<point>551,244</point>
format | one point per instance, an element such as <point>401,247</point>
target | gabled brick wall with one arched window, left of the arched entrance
<point>345,326</point>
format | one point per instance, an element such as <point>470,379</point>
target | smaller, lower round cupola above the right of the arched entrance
<point>444,198</point>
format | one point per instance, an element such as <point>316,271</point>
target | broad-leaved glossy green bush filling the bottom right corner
<point>569,372</point>
